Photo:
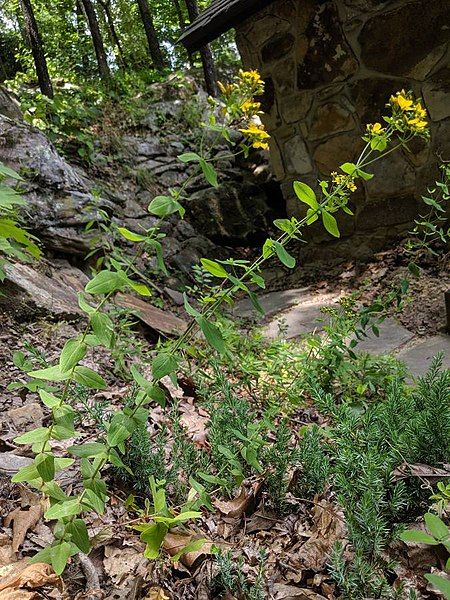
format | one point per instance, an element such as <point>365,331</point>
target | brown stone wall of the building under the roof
<point>329,69</point>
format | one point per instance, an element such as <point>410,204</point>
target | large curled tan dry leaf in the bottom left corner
<point>24,577</point>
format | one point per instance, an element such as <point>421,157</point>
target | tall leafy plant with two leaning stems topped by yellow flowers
<point>236,110</point>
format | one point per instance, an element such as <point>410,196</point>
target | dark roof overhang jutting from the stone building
<point>221,16</point>
